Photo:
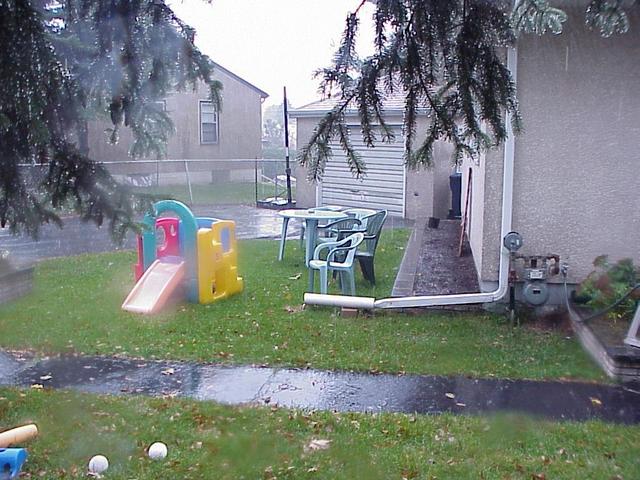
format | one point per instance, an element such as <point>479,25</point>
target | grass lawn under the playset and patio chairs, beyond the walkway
<point>75,307</point>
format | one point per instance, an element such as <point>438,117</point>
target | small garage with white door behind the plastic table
<point>388,183</point>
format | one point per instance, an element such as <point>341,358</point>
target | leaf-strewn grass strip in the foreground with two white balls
<point>208,441</point>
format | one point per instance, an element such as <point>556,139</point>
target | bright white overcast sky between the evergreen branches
<point>272,43</point>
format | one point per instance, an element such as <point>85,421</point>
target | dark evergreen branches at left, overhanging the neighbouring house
<point>64,63</point>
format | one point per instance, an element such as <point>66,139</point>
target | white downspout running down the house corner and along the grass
<point>455,299</point>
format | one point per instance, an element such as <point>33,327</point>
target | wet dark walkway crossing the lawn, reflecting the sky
<point>324,390</point>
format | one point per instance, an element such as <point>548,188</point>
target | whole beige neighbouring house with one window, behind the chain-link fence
<point>201,132</point>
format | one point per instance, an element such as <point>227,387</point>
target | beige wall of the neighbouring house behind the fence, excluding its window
<point>240,126</point>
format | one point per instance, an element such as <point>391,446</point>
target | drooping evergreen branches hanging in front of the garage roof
<point>446,58</point>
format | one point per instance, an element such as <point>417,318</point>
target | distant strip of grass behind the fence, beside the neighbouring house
<point>215,194</point>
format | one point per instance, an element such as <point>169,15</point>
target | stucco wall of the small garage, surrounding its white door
<point>427,190</point>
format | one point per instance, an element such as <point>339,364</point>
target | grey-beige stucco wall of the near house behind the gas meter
<point>577,167</point>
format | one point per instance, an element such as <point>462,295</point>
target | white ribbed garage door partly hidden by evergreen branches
<point>383,187</point>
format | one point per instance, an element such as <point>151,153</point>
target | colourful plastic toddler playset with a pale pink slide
<point>194,255</point>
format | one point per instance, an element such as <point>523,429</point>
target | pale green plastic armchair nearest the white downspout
<point>344,266</point>
